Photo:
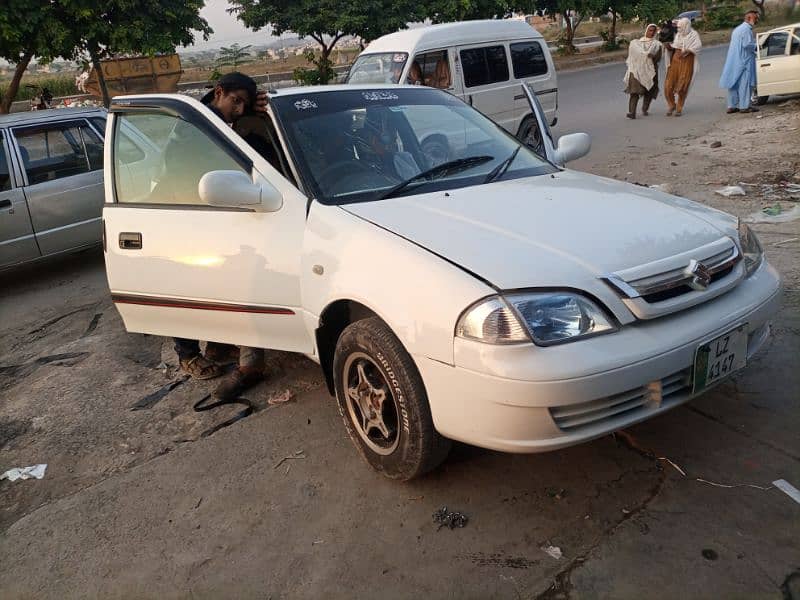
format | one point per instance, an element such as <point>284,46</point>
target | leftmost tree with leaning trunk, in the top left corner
<point>29,28</point>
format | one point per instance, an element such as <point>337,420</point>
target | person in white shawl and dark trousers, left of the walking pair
<point>641,78</point>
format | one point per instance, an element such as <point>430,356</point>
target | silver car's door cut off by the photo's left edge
<point>17,242</point>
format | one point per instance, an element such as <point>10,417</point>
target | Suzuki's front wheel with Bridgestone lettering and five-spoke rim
<point>398,438</point>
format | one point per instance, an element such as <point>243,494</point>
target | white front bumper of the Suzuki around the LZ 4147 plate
<point>529,399</point>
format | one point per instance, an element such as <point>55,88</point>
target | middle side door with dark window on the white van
<point>487,83</point>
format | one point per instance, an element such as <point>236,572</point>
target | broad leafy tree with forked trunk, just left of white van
<point>325,21</point>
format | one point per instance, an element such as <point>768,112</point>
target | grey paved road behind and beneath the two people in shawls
<point>592,100</point>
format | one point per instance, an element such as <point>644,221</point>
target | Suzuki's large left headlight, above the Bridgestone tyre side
<point>545,317</point>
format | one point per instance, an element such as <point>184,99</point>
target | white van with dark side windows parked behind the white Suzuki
<point>482,62</point>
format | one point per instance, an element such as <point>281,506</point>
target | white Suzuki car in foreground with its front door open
<point>496,299</point>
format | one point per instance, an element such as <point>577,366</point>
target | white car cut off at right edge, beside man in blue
<point>778,63</point>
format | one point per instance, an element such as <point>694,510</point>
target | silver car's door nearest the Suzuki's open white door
<point>63,166</point>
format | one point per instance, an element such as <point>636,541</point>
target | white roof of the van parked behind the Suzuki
<point>453,34</point>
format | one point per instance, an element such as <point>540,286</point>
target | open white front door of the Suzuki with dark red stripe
<point>199,271</point>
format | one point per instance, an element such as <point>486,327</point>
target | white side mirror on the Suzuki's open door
<point>234,188</point>
